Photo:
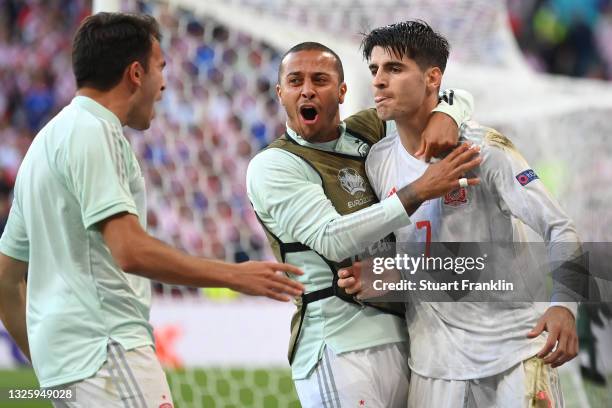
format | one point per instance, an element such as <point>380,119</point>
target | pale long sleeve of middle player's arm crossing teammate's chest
<point>286,192</point>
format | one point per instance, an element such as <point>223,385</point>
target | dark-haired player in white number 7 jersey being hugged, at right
<point>465,354</point>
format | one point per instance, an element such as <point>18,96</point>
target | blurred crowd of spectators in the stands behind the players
<point>220,107</point>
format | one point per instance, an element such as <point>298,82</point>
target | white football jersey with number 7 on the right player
<point>468,340</point>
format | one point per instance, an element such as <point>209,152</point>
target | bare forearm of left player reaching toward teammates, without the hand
<point>155,260</point>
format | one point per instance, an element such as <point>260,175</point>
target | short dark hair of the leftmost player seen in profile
<point>107,43</point>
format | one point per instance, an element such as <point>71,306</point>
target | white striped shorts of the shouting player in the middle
<point>376,377</point>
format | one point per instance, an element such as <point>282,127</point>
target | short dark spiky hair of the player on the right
<point>414,39</point>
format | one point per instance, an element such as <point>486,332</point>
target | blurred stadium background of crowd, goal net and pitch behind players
<point>226,350</point>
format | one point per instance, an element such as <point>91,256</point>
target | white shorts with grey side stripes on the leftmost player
<point>127,379</point>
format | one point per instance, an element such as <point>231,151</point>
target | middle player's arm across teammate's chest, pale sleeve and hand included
<point>289,198</point>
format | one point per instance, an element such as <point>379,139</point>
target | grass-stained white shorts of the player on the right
<point>530,383</point>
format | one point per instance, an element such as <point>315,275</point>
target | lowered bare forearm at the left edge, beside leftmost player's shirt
<point>13,313</point>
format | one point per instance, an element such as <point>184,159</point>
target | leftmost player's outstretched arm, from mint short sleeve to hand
<point>100,179</point>
